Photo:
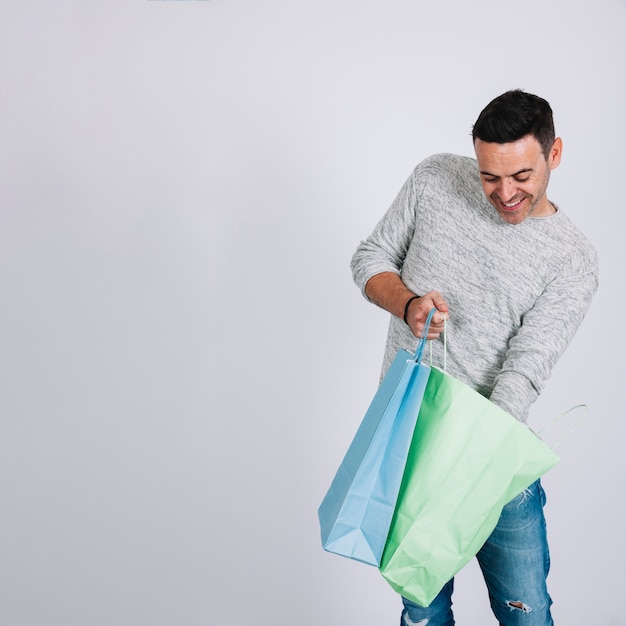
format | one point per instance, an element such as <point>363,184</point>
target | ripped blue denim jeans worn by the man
<point>515,563</point>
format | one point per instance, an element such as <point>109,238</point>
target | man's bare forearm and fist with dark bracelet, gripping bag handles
<point>389,292</point>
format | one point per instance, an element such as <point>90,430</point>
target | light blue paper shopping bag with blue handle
<point>356,512</point>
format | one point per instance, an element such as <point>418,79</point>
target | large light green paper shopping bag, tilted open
<point>467,459</point>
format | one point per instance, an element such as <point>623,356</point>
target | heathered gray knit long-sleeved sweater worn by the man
<point>516,293</point>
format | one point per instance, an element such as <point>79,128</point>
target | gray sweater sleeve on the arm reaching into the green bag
<point>545,333</point>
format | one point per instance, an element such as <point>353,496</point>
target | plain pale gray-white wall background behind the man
<point>183,355</point>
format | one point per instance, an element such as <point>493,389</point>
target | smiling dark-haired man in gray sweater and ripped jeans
<point>479,240</point>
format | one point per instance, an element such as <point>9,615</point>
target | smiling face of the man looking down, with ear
<point>515,176</point>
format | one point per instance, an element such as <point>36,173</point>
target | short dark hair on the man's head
<point>514,115</point>
